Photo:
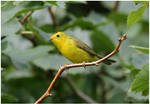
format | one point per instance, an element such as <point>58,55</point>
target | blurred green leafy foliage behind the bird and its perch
<point>29,61</point>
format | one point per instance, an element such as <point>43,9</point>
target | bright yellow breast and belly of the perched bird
<point>75,54</point>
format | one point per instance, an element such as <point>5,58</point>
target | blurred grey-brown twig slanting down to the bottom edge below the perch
<point>86,98</point>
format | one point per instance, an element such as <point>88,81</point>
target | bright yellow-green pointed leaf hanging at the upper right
<point>135,16</point>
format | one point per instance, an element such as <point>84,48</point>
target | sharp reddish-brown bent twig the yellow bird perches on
<point>62,68</point>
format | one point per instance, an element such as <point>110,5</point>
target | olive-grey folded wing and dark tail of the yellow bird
<point>86,48</point>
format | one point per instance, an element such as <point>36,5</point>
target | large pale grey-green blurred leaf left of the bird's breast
<point>21,58</point>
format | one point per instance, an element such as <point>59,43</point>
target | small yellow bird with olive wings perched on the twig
<point>74,49</point>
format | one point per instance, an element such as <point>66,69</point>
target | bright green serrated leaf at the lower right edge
<point>141,81</point>
